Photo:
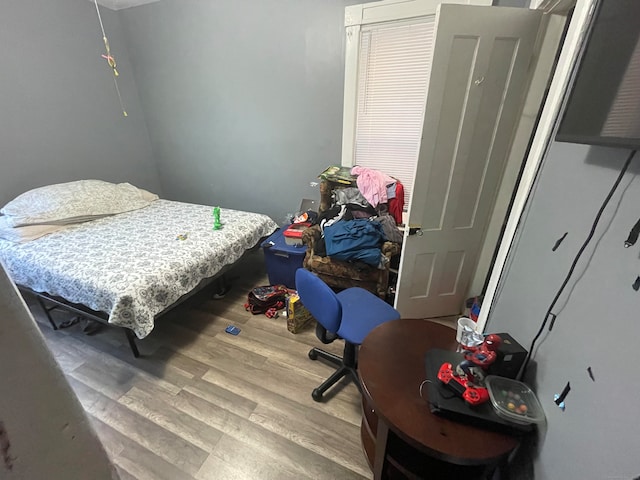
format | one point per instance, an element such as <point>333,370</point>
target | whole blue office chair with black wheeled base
<point>350,315</point>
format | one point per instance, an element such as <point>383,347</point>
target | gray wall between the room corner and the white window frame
<point>243,98</point>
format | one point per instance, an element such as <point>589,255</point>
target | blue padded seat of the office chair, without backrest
<point>364,312</point>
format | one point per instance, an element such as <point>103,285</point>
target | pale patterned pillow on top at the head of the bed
<point>74,202</point>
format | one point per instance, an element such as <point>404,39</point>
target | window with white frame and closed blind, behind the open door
<point>389,46</point>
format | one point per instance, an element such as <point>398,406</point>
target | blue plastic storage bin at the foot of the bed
<point>282,260</point>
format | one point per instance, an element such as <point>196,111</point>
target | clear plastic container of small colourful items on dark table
<point>514,401</point>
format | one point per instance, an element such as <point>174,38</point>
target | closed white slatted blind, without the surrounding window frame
<point>393,75</point>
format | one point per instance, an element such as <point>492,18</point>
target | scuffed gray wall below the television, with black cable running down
<point>596,436</point>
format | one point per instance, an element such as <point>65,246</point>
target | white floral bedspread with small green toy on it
<point>134,265</point>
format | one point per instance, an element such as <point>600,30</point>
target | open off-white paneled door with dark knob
<point>481,68</point>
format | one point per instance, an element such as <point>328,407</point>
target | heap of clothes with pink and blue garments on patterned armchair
<point>364,213</point>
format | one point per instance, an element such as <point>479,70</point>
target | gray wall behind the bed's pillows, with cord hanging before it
<point>60,119</point>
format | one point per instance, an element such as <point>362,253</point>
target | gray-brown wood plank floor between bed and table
<point>203,404</point>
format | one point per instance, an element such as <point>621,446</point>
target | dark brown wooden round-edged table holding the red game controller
<point>400,436</point>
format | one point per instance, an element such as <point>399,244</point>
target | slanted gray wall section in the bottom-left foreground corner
<point>44,431</point>
